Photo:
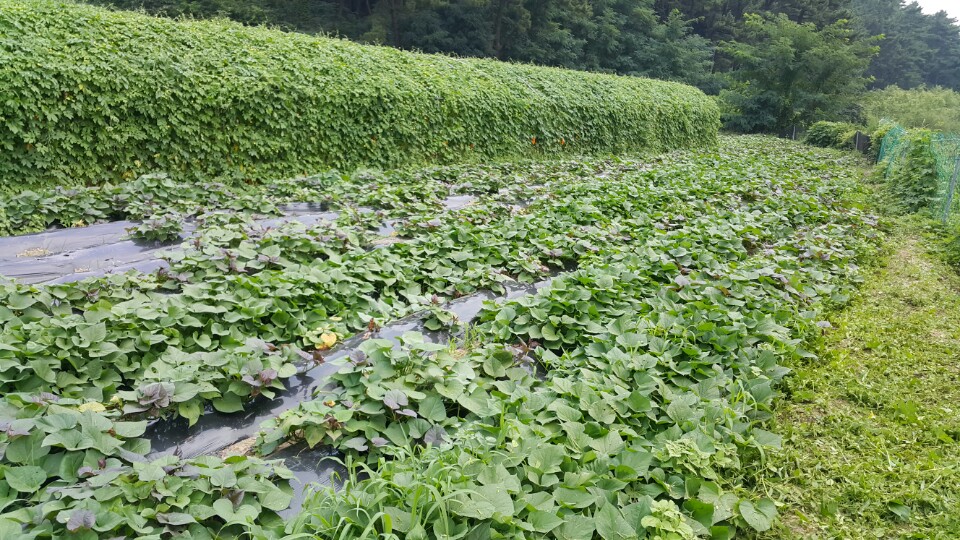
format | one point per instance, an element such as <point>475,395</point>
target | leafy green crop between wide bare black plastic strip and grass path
<point>618,401</point>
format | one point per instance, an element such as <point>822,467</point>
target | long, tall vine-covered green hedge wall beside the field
<point>89,95</point>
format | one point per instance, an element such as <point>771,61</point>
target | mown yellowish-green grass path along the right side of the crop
<point>872,429</point>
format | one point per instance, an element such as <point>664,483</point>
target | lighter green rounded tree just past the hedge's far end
<point>788,73</point>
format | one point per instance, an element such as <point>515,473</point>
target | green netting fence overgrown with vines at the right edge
<point>931,159</point>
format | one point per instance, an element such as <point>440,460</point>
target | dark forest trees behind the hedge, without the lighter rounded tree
<point>674,39</point>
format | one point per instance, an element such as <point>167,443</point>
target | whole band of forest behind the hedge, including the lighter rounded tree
<point>777,63</point>
